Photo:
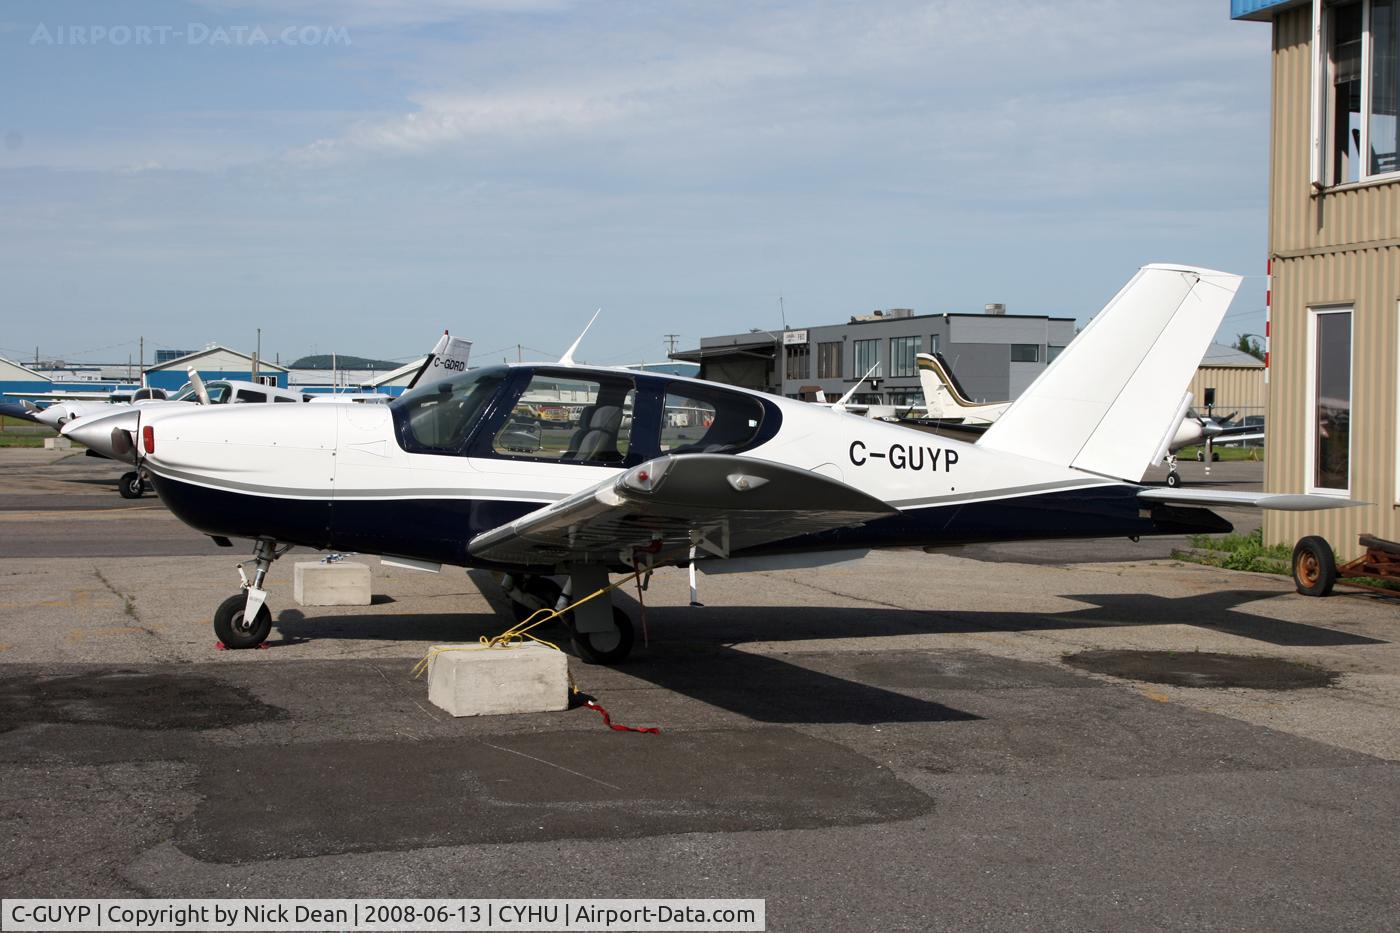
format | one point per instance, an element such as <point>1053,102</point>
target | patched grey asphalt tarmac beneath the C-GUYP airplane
<point>997,738</point>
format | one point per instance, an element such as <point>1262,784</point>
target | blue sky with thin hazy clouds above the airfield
<point>387,170</point>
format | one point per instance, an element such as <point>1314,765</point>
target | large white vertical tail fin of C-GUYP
<point>1107,401</point>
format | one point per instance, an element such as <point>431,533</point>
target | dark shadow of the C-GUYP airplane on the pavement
<point>694,652</point>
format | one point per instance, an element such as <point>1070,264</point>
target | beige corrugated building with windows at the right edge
<point>1335,263</point>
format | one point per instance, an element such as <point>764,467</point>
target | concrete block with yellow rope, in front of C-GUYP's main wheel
<point>523,679</point>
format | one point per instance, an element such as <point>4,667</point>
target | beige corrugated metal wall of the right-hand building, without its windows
<point>1340,247</point>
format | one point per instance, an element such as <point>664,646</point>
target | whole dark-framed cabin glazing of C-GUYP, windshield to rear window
<point>579,417</point>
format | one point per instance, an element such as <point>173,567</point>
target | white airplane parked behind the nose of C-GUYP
<point>113,434</point>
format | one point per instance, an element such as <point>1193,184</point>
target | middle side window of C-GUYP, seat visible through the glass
<point>570,420</point>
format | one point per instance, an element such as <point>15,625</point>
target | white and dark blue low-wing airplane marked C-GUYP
<point>638,470</point>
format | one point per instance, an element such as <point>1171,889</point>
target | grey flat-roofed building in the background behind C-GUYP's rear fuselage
<point>995,355</point>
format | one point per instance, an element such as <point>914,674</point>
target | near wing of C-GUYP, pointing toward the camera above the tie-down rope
<point>715,502</point>
